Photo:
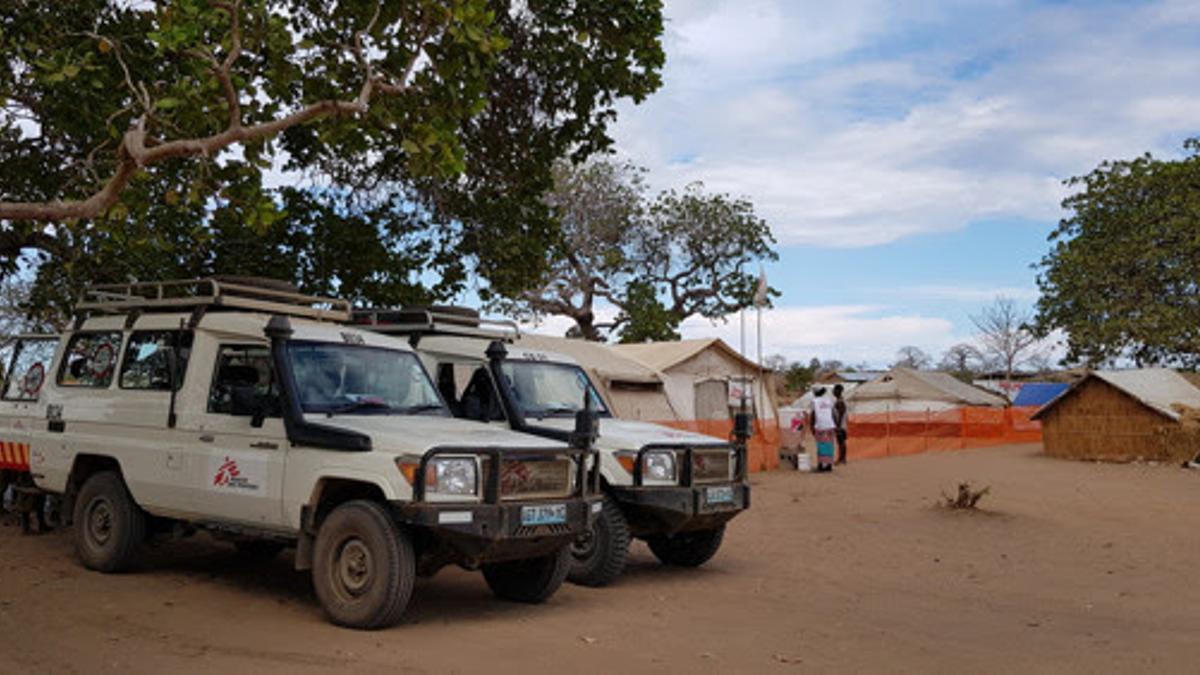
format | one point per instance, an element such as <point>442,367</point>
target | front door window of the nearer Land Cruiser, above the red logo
<point>243,381</point>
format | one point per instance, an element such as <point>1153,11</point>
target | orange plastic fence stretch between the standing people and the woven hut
<point>892,434</point>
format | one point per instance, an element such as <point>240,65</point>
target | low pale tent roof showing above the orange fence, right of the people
<point>904,390</point>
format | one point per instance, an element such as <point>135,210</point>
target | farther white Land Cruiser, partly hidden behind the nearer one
<point>674,489</point>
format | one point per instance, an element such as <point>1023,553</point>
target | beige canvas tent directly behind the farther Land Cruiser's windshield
<point>633,390</point>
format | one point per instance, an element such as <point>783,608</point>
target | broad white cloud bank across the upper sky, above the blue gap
<point>844,139</point>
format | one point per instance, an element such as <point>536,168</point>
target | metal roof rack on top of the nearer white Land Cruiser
<point>242,294</point>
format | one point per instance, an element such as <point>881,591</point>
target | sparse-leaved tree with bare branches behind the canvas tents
<point>658,260</point>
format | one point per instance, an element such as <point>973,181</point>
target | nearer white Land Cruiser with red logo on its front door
<point>260,416</point>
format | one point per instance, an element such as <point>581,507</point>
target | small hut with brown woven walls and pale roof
<point>1120,416</point>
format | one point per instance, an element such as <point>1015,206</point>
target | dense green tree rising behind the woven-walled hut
<point>1123,279</point>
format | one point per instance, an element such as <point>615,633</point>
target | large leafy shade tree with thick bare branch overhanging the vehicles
<point>137,139</point>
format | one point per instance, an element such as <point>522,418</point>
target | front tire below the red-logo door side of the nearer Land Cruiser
<point>364,568</point>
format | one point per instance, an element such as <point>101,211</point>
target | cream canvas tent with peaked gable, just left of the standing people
<point>705,381</point>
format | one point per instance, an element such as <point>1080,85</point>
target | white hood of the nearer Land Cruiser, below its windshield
<point>418,433</point>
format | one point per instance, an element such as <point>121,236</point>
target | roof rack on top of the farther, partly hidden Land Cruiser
<point>436,321</point>
